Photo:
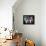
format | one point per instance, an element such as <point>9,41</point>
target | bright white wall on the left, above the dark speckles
<point>6,13</point>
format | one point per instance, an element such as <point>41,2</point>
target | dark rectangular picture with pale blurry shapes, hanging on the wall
<point>28,19</point>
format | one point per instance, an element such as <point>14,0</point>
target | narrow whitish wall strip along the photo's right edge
<point>43,22</point>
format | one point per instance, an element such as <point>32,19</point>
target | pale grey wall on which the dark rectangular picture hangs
<point>28,7</point>
